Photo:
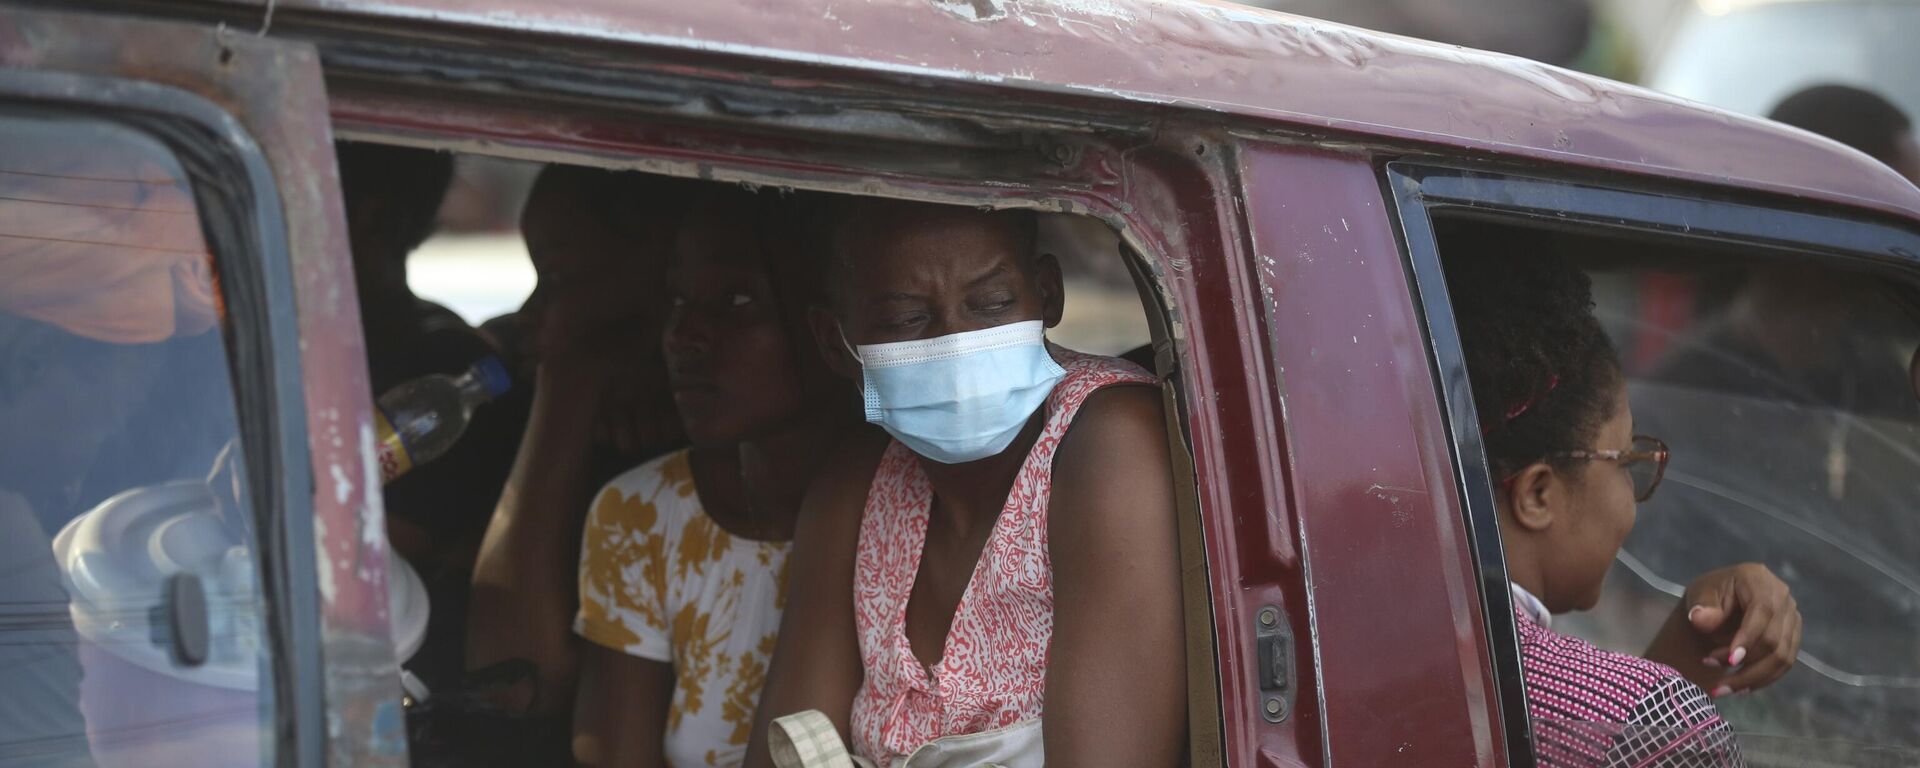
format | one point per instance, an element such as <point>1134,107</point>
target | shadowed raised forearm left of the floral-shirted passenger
<point>523,588</point>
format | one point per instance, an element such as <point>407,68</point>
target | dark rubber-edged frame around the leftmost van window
<point>243,224</point>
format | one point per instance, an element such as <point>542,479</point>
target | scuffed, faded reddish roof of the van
<point>1222,59</point>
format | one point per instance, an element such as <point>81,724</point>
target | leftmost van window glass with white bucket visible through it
<point>120,466</point>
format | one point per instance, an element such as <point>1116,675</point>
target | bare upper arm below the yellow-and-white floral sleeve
<point>621,709</point>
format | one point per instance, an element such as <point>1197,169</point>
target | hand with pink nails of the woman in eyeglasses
<point>1735,631</point>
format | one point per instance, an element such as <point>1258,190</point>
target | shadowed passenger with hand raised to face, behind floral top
<point>592,327</point>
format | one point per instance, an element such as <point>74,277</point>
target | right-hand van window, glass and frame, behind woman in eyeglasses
<point>1773,348</point>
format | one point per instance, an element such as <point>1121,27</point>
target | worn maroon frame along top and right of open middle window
<point>360,95</point>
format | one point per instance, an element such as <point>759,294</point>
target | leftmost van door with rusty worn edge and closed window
<point>172,262</point>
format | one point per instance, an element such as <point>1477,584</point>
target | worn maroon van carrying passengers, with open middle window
<point>1285,195</point>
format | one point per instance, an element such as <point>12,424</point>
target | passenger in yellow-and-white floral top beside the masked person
<point>684,565</point>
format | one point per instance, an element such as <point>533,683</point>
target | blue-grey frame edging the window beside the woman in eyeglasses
<point>1426,187</point>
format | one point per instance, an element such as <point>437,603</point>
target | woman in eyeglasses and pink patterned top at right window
<point>1570,471</point>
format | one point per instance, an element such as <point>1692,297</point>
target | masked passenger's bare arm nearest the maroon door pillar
<point>1116,686</point>
